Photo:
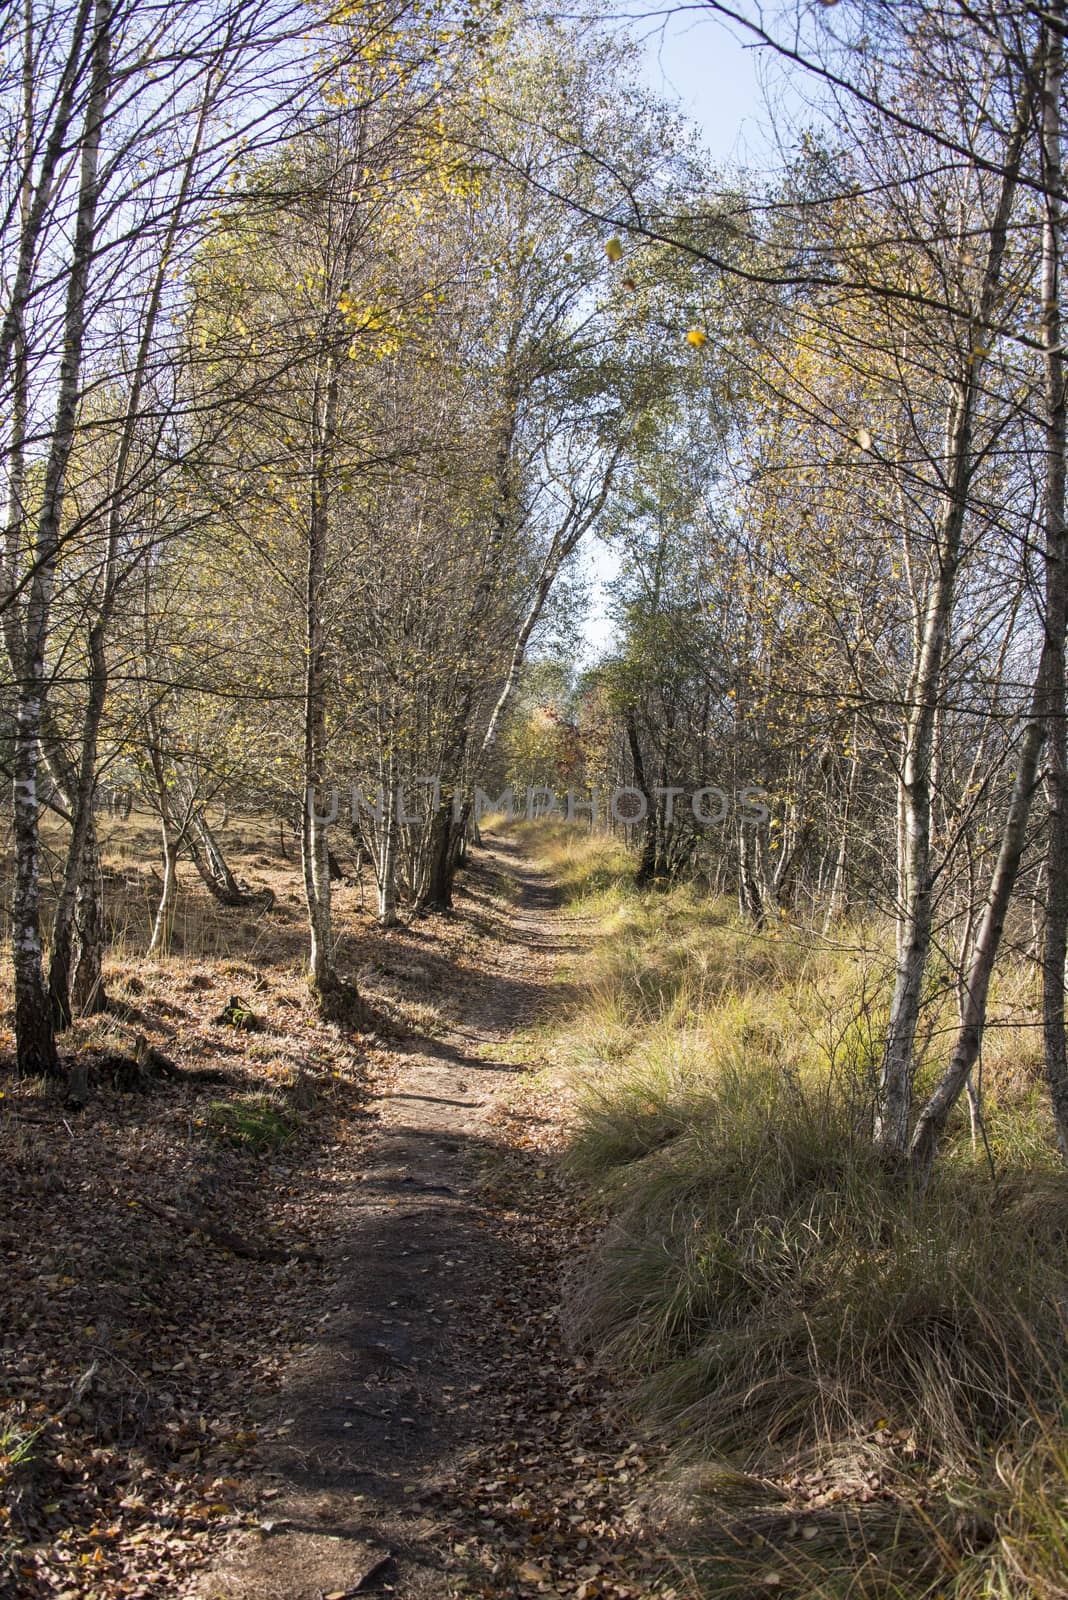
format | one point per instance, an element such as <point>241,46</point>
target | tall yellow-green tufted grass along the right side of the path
<point>867,1391</point>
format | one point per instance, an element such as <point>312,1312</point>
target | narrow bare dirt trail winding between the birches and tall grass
<point>412,1366</point>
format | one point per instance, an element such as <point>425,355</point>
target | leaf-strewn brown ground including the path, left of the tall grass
<point>290,1326</point>
